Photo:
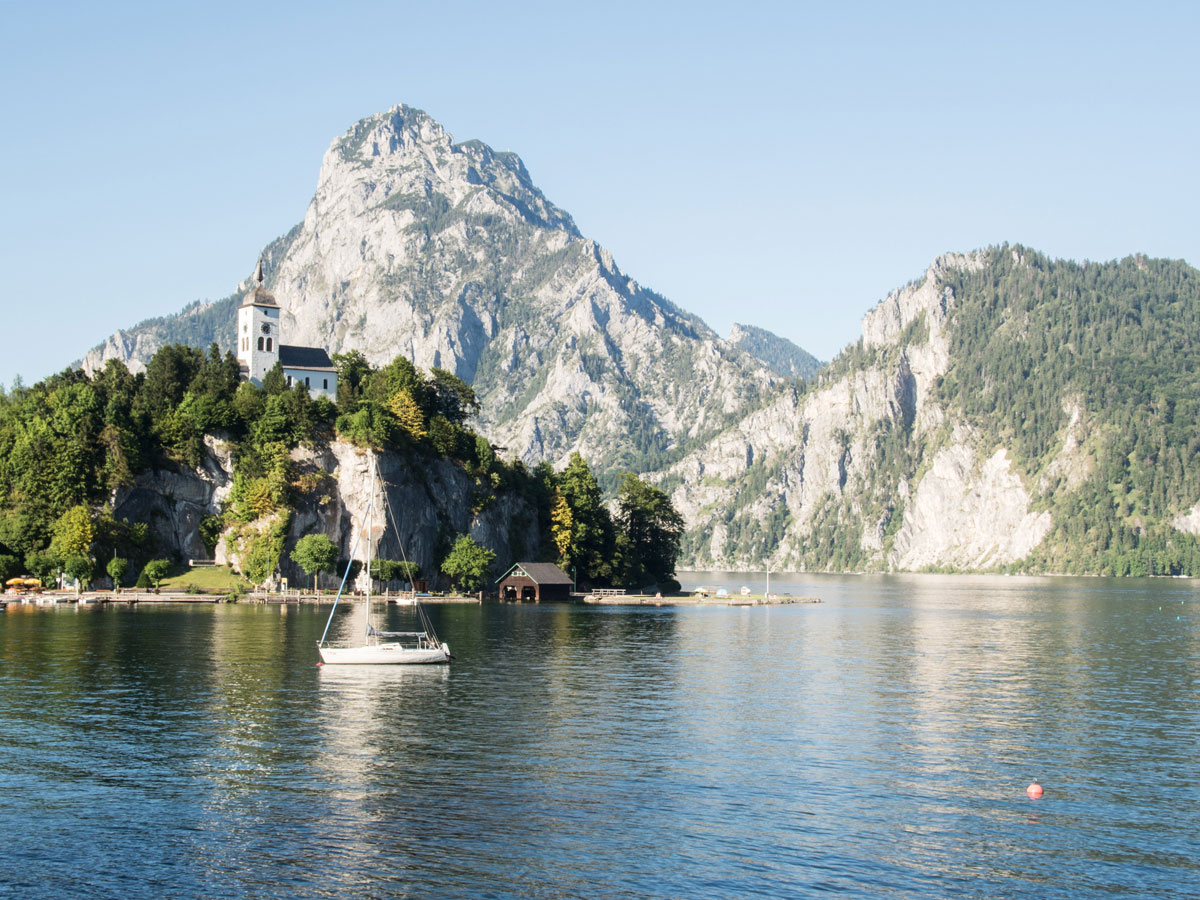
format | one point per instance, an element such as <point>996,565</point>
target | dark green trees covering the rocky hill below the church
<point>73,446</point>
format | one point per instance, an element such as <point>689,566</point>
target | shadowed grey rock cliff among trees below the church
<point>418,506</point>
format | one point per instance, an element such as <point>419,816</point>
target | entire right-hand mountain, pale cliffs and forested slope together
<point>1009,412</point>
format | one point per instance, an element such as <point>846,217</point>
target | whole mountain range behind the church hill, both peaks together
<point>1006,412</point>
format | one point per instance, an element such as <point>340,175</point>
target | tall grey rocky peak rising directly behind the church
<point>448,254</point>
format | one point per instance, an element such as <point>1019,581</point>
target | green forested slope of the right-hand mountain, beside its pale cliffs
<point>1036,343</point>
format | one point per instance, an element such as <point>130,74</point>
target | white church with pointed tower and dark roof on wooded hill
<point>260,349</point>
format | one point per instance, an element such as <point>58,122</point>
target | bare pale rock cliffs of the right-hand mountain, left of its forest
<point>809,466</point>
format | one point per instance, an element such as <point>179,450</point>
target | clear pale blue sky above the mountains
<point>782,165</point>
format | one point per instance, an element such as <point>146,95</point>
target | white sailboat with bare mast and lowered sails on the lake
<point>376,647</point>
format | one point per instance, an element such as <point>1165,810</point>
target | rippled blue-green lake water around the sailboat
<point>878,745</point>
